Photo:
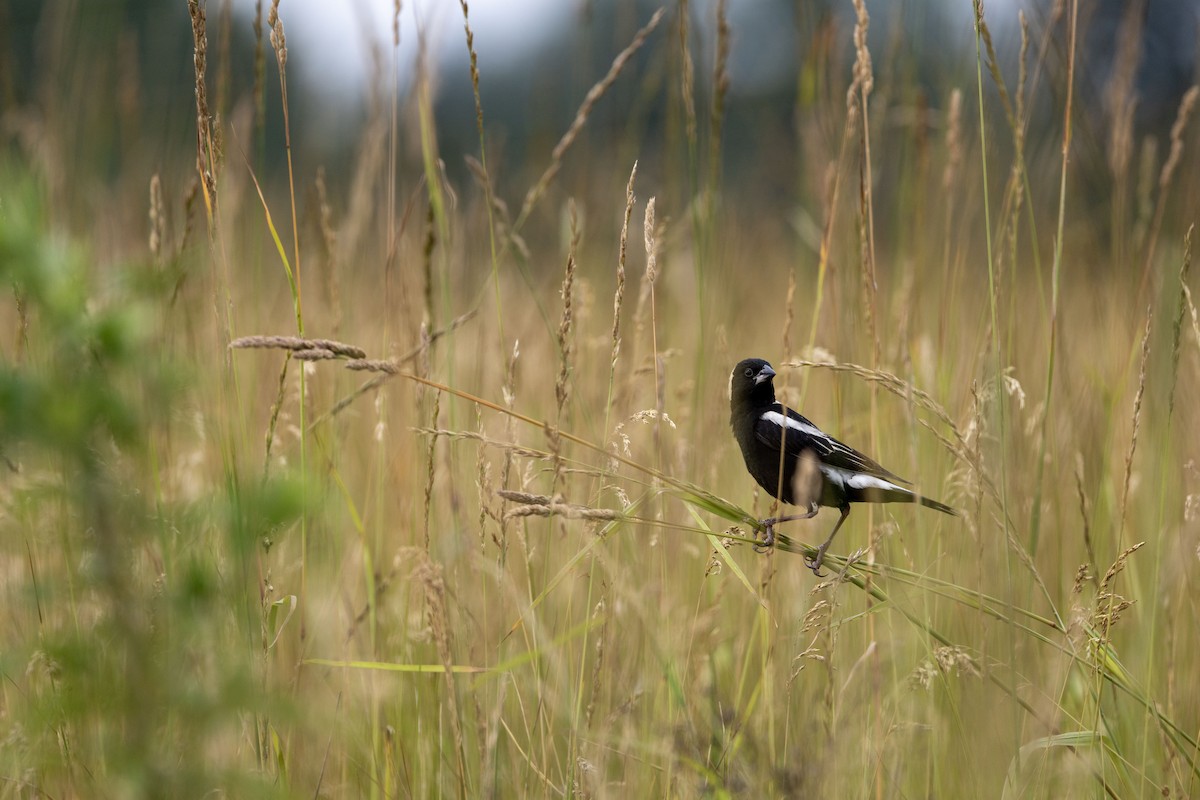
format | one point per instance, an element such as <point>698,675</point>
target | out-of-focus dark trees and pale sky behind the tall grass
<point>82,61</point>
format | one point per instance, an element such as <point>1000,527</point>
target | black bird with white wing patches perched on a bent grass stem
<point>818,471</point>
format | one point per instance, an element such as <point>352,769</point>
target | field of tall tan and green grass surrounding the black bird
<point>472,524</point>
